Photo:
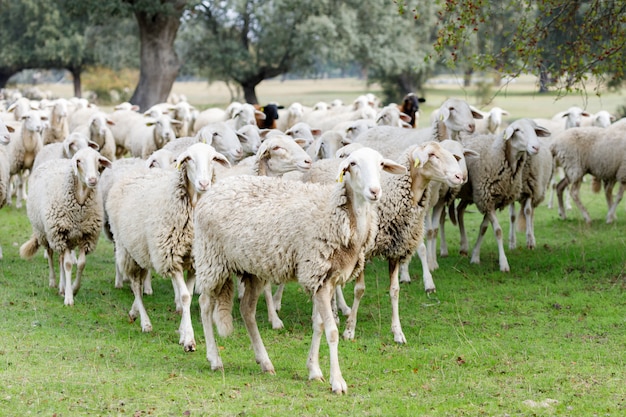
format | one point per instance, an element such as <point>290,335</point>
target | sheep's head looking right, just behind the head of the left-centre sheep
<point>220,135</point>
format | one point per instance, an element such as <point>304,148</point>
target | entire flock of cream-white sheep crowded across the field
<point>271,195</point>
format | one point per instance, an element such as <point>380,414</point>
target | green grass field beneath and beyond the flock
<point>545,339</point>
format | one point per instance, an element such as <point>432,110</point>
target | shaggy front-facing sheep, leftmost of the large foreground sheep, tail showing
<point>65,212</point>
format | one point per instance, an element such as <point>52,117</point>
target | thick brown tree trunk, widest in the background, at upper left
<point>159,63</point>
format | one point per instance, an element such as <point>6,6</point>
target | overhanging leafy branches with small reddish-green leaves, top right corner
<point>568,39</point>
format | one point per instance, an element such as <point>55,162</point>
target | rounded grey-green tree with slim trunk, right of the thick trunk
<point>248,41</point>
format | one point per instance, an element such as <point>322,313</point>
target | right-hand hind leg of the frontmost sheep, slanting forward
<point>247,308</point>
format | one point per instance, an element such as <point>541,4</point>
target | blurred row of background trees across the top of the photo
<point>140,47</point>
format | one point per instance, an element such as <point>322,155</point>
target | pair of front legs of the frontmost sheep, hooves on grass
<point>326,321</point>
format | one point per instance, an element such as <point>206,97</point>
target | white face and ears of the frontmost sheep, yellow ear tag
<point>364,167</point>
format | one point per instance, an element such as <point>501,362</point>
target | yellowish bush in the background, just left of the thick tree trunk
<point>110,87</point>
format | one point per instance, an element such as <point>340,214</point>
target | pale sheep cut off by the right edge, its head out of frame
<point>596,151</point>
